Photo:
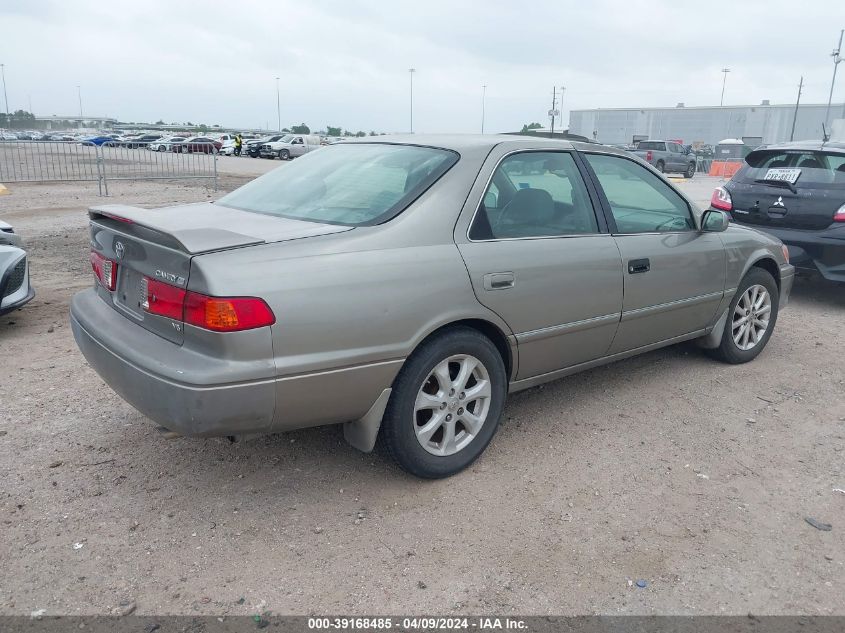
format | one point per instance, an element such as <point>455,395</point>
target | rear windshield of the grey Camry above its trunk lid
<point>355,184</point>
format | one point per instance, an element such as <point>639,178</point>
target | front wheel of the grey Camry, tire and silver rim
<point>752,315</point>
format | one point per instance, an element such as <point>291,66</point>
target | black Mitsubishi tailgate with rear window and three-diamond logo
<point>807,203</point>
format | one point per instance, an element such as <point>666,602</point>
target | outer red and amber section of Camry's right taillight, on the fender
<point>227,314</point>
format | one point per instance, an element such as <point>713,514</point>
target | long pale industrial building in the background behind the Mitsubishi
<point>760,124</point>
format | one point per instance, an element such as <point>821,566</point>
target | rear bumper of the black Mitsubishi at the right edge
<point>822,251</point>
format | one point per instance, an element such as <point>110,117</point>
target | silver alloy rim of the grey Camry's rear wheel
<point>452,405</point>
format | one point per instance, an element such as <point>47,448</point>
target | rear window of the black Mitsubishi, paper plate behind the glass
<point>817,169</point>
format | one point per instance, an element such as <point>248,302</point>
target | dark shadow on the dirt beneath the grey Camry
<point>296,463</point>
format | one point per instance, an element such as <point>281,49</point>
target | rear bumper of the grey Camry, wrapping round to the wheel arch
<point>203,395</point>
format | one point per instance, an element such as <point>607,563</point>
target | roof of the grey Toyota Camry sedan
<point>484,142</point>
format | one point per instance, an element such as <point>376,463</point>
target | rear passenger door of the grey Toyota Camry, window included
<point>538,257</point>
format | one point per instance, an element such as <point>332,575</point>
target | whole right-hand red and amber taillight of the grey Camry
<point>219,314</point>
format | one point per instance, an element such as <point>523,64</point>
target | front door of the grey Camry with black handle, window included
<point>674,274</point>
